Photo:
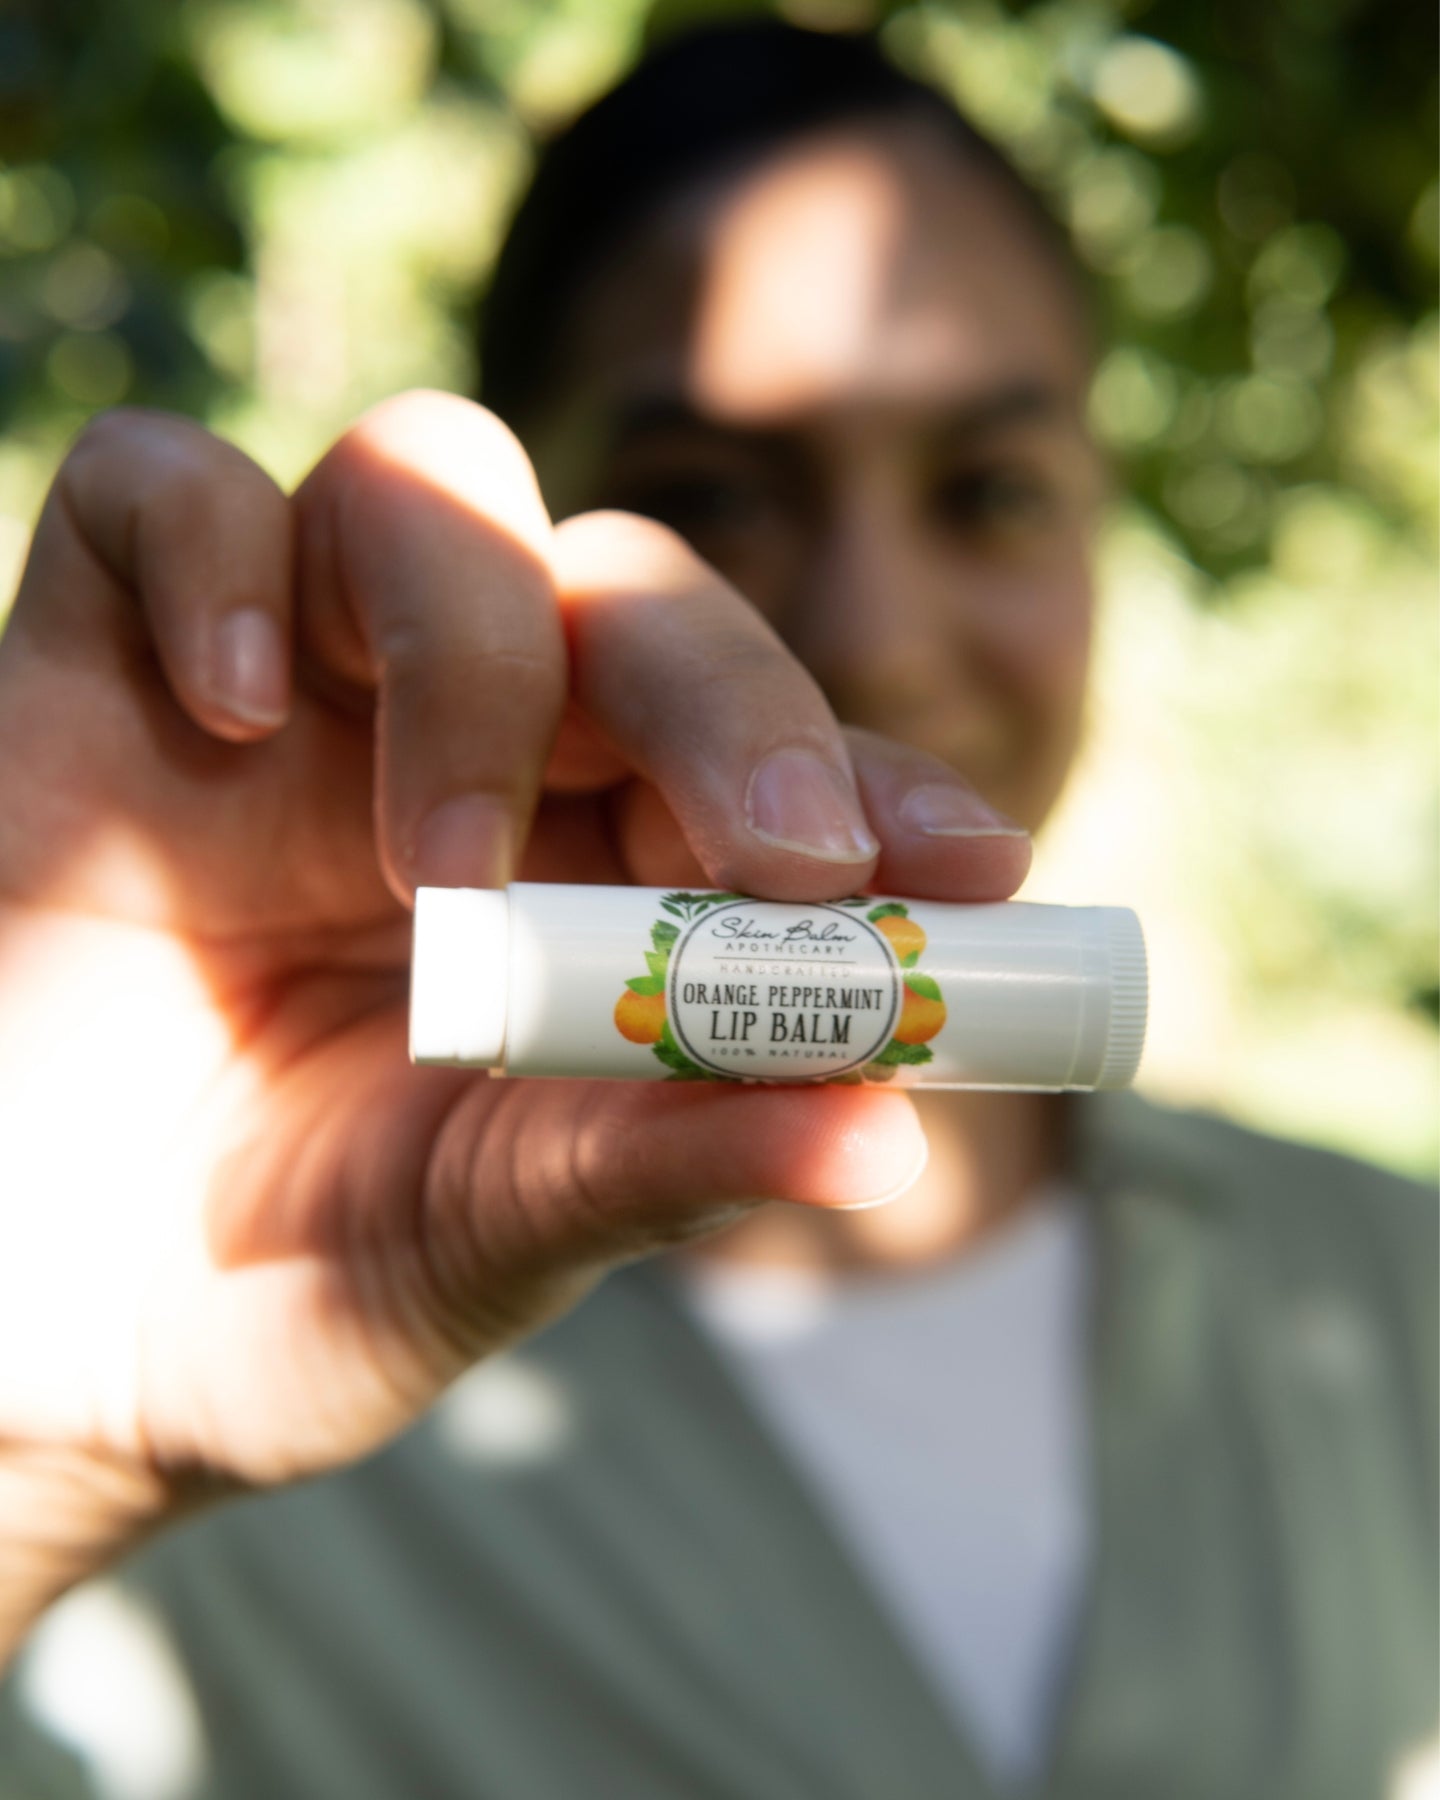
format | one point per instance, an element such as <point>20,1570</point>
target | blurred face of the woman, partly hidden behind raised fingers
<point>854,381</point>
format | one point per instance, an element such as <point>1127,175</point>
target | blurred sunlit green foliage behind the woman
<point>271,213</point>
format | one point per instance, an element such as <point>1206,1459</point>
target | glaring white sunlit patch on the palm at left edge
<point>114,1061</point>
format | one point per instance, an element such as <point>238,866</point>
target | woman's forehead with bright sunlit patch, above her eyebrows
<point>865,265</point>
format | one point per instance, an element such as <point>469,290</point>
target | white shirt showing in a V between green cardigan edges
<point>940,1419</point>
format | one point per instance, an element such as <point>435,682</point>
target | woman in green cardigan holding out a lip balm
<point>1135,1500</point>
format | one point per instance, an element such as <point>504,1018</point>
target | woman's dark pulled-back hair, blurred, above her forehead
<point>708,98</point>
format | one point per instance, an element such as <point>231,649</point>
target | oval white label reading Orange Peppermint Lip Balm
<point>782,993</point>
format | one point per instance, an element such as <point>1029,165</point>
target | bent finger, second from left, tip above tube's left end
<point>424,577</point>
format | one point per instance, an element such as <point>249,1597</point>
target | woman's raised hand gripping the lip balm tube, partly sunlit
<point>240,1239</point>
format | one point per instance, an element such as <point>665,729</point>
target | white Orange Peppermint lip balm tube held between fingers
<point>642,984</point>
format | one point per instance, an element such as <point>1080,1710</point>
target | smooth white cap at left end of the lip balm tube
<point>460,976</point>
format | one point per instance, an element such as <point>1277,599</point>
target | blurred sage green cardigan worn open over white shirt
<point>652,1606</point>
